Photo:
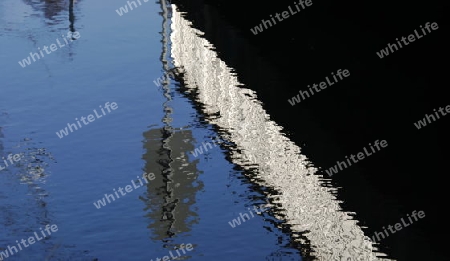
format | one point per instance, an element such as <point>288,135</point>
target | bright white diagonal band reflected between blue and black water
<point>333,234</point>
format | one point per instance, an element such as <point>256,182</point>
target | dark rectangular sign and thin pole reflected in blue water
<point>170,196</point>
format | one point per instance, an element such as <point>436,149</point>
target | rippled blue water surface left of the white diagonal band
<point>115,59</point>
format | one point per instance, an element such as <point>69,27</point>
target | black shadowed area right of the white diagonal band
<point>381,100</point>
